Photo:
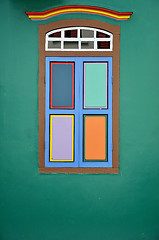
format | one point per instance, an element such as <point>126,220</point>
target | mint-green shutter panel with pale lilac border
<point>95,85</point>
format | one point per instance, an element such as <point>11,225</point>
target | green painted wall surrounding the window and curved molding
<point>79,207</point>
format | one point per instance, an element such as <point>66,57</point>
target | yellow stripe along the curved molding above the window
<point>78,10</point>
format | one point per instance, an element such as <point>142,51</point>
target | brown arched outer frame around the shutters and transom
<point>115,30</point>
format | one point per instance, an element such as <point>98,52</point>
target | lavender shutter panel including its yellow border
<point>62,138</point>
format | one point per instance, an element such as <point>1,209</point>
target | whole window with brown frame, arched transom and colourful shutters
<point>78,97</point>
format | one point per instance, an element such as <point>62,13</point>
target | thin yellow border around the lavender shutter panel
<point>61,160</point>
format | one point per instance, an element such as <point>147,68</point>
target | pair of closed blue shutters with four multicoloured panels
<point>78,112</point>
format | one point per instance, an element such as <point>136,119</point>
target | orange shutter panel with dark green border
<point>95,137</point>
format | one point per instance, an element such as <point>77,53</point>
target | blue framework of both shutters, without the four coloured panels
<point>78,111</point>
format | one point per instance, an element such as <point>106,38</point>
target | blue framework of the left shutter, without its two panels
<point>49,112</point>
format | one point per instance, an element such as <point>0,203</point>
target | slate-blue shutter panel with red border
<point>62,78</point>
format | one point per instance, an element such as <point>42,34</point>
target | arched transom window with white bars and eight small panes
<point>79,39</point>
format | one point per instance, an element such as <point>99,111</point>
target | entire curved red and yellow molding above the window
<point>38,16</point>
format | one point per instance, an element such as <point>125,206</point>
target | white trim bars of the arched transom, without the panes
<point>78,39</point>
